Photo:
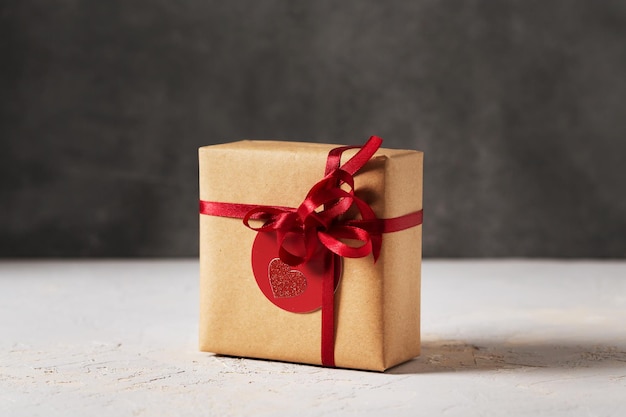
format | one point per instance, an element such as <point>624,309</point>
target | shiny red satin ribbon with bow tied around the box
<point>320,221</point>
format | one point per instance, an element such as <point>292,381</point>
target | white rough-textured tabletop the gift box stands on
<point>502,338</point>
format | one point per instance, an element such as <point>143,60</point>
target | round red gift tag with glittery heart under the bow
<point>297,289</point>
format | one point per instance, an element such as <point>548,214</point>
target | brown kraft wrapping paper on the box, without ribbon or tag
<point>377,305</point>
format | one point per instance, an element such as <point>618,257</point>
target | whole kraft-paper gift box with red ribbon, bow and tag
<point>311,252</point>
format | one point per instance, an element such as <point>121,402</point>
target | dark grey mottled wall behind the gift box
<point>519,106</point>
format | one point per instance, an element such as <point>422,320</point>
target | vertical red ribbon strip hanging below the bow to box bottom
<point>331,276</point>
